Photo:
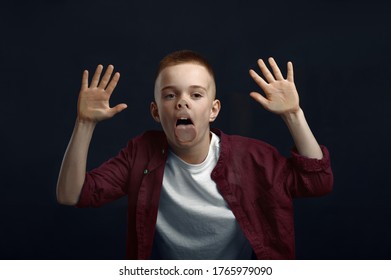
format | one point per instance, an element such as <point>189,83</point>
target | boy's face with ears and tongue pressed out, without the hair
<point>185,104</point>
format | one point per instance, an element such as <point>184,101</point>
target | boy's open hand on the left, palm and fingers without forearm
<point>93,104</point>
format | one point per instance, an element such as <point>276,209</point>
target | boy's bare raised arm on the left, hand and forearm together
<point>93,106</point>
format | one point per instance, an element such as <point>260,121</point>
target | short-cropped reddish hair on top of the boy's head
<point>184,56</point>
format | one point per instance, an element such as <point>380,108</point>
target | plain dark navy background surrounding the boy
<point>341,54</point>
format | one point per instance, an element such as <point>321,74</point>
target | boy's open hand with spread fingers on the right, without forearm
<point>281,96</point>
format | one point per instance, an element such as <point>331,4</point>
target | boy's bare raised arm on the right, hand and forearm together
<point>281,97</point>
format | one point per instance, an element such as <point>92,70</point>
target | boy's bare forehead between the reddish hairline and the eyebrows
<point>184,75</point>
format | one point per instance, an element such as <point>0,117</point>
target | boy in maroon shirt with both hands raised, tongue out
<point>193,192</point>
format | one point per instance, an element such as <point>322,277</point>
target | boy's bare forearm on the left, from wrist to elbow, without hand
<point>73,168</point>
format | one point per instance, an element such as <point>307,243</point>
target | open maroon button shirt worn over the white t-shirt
<point>256,181</point>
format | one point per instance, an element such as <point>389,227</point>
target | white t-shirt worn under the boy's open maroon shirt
<point>194,221</point>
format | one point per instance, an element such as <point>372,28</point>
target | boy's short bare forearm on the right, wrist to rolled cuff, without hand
<point>305,141</point>
